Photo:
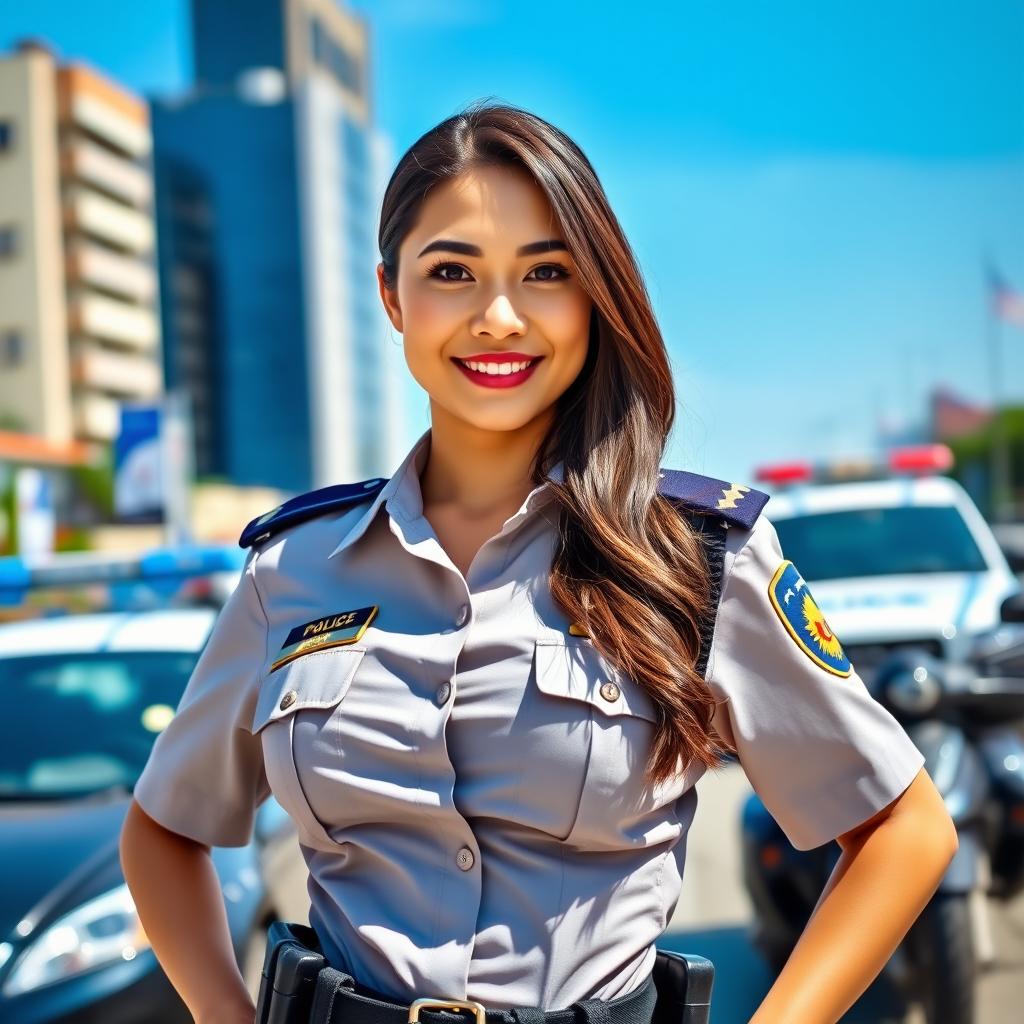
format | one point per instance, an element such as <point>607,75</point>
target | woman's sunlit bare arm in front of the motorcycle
<point>889,869</point>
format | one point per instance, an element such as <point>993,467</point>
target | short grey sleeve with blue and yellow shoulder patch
<point>820,751</point>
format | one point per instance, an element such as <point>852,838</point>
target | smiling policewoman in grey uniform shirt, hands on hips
<point>486,688</point>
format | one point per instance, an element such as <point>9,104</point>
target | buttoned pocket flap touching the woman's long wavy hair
<point>577,670</point>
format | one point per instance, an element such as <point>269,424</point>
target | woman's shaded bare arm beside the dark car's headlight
<point>178,895</point>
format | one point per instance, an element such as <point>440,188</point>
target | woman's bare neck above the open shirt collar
<point>483,473</point>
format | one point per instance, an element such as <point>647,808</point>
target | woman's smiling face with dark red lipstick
<point>485,277</point>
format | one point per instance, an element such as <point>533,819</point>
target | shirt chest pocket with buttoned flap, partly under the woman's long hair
<point>612,723</point>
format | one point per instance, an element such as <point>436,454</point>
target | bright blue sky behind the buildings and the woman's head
<point>810,190</point>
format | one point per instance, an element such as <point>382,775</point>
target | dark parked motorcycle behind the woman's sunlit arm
<point>967,718</point>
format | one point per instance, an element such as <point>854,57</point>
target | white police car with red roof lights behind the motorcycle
<point>899,554</point>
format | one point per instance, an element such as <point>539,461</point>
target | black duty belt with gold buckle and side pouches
<point>298,987</point>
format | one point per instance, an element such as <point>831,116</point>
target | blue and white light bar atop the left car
<point>78,569</point>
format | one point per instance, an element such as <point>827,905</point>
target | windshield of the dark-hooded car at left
<point>76,724</point>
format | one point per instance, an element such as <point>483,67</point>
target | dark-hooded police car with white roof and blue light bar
<point>84,697</point>
